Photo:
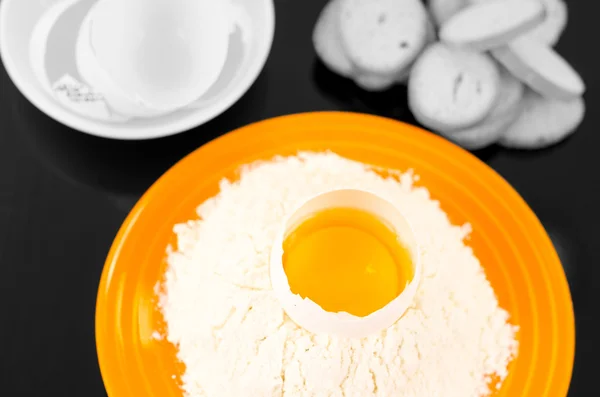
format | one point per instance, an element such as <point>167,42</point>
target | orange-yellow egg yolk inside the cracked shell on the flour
<point>346,260</point>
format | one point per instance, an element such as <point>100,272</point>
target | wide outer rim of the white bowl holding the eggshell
<point>246,59</point>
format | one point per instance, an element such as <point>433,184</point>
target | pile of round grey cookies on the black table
<point>479,72</point>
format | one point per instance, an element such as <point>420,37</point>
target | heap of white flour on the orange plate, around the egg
<point>235,339</point>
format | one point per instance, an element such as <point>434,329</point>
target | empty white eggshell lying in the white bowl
<point>163,53</point>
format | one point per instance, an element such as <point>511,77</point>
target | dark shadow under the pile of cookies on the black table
<point>391,103</point>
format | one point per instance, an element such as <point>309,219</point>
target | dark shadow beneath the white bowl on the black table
<point>123,170</point>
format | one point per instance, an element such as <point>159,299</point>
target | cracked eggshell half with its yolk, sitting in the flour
<point>346,262</point>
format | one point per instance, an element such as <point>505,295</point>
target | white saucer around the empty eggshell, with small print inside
<point>23,51</point>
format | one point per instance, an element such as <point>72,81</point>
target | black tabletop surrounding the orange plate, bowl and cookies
<point>63,196</point>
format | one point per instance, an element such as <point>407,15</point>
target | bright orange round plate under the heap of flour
<point>512,245</point>
